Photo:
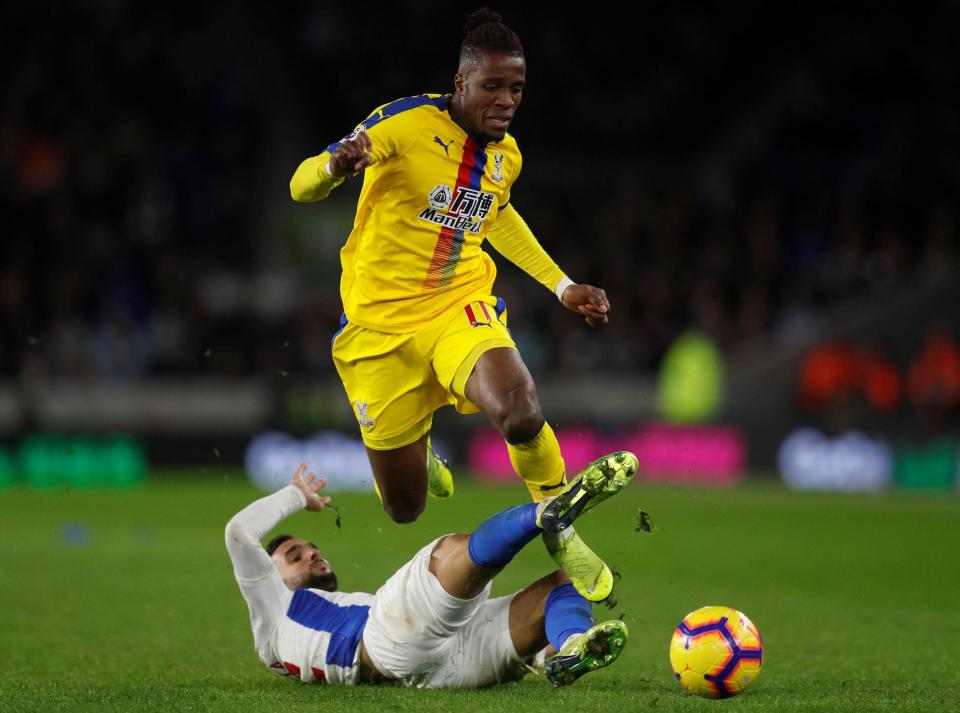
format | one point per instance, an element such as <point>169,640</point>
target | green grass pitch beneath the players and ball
<point>123,601</point>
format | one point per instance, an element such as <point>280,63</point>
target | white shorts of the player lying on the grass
<point>425,637</point>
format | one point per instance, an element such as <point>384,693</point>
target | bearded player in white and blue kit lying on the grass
<point>432,625</point>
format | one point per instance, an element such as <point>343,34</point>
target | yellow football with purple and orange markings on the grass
<point>716,652</point>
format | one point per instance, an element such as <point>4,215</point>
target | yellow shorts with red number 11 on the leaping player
<point>396,381</point>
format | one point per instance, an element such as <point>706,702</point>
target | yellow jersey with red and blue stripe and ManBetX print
<point>427,203</point>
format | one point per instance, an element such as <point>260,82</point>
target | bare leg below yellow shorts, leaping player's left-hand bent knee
<point>401,476</point>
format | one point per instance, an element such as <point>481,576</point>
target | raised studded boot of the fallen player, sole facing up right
<point>594,484</point>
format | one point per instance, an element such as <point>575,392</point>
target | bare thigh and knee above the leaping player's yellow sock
<point>501,386</point>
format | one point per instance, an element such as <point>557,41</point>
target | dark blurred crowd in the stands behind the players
<point>776,177</point>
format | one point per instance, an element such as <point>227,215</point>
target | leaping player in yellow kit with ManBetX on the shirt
<point>420,326</point>
